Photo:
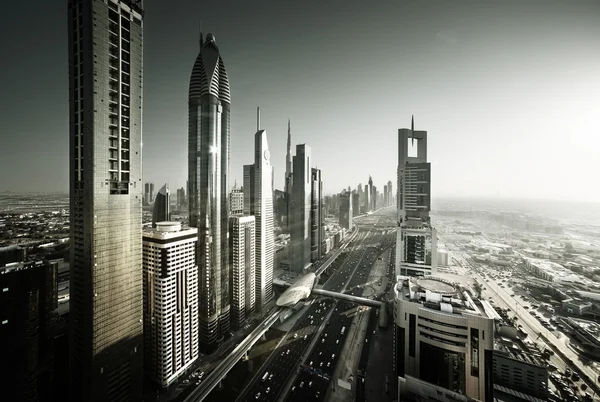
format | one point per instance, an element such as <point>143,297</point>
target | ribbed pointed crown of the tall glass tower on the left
<point>209,76</point>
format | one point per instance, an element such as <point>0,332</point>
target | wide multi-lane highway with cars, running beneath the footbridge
<point>313,344</point>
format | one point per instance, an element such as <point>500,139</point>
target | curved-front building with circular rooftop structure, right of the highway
<point>442,335</point>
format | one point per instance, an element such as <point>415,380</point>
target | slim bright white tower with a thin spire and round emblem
<point>258,201</point>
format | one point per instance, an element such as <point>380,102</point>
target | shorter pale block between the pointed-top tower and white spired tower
<point>242,268</point>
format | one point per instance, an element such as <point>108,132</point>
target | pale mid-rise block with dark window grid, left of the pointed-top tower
<point>170,301</point>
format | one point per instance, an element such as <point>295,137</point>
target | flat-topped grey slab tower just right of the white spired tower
<point>301,204</point>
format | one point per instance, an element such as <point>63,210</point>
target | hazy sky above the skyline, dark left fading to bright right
<point>509,91</point>
